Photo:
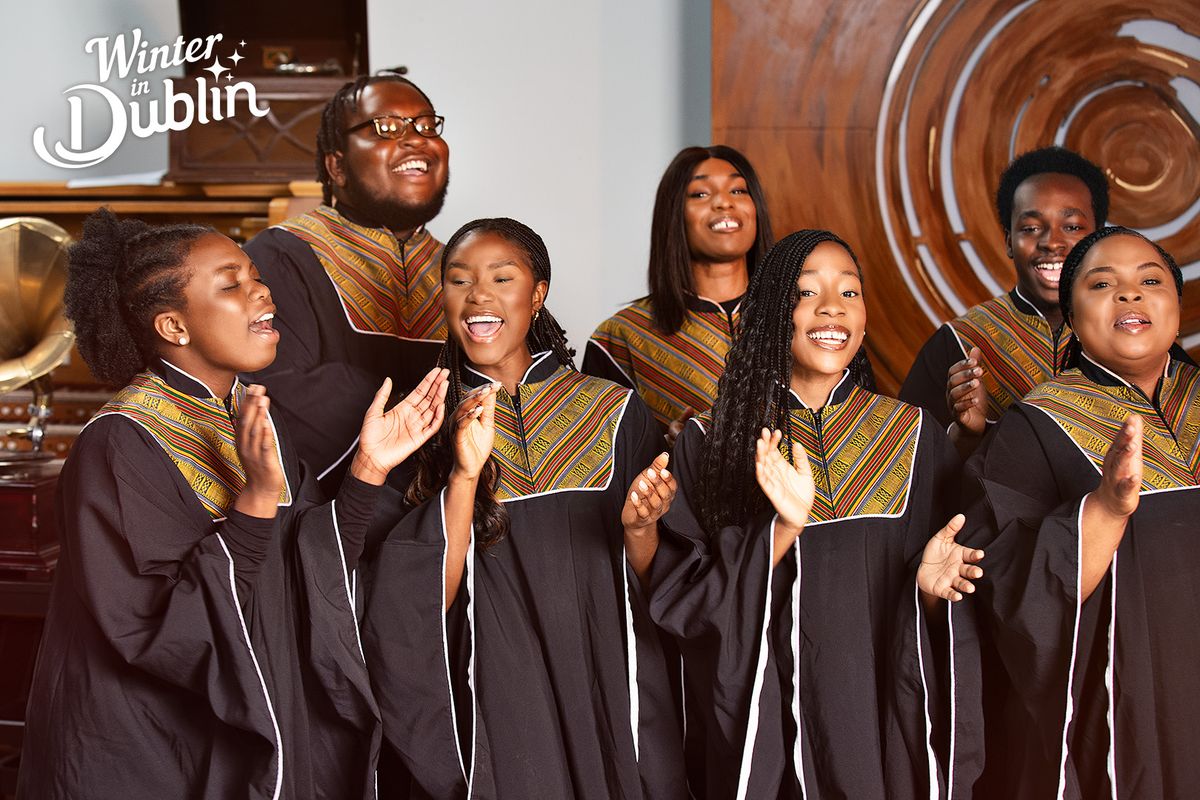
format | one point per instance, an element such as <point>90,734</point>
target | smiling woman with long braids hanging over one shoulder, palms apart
<point>788,572</point>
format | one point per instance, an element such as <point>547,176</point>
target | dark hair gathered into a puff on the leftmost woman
<point>123,274</point>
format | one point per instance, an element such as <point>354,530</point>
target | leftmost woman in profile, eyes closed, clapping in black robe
<point>201,640</point>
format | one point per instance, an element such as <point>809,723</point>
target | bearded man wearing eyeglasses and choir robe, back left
<point>357,281</point>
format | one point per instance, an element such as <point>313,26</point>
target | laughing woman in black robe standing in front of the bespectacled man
<point>507,631</point>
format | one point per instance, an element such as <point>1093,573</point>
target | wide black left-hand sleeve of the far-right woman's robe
<point>1029,597</point>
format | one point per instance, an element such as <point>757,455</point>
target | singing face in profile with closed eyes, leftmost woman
<point>227,316</point>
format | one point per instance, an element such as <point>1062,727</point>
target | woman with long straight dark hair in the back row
<point>710,231</point>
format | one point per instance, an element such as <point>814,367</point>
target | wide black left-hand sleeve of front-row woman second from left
<point>407,639</point>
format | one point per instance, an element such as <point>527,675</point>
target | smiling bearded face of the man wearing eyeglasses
<point>400,184</point>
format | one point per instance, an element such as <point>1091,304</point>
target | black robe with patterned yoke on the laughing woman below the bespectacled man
<point>545,679</point>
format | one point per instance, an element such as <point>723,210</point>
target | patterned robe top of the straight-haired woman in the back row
<point>671,374</point>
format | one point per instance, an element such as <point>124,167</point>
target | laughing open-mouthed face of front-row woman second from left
<point>490,296</point>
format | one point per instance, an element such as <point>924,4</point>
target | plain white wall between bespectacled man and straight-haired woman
<point>562,116</point>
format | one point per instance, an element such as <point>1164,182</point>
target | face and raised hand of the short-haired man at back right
<point>1052,213</point>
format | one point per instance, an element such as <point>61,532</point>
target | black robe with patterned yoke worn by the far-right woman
<point>1107,689</point>
